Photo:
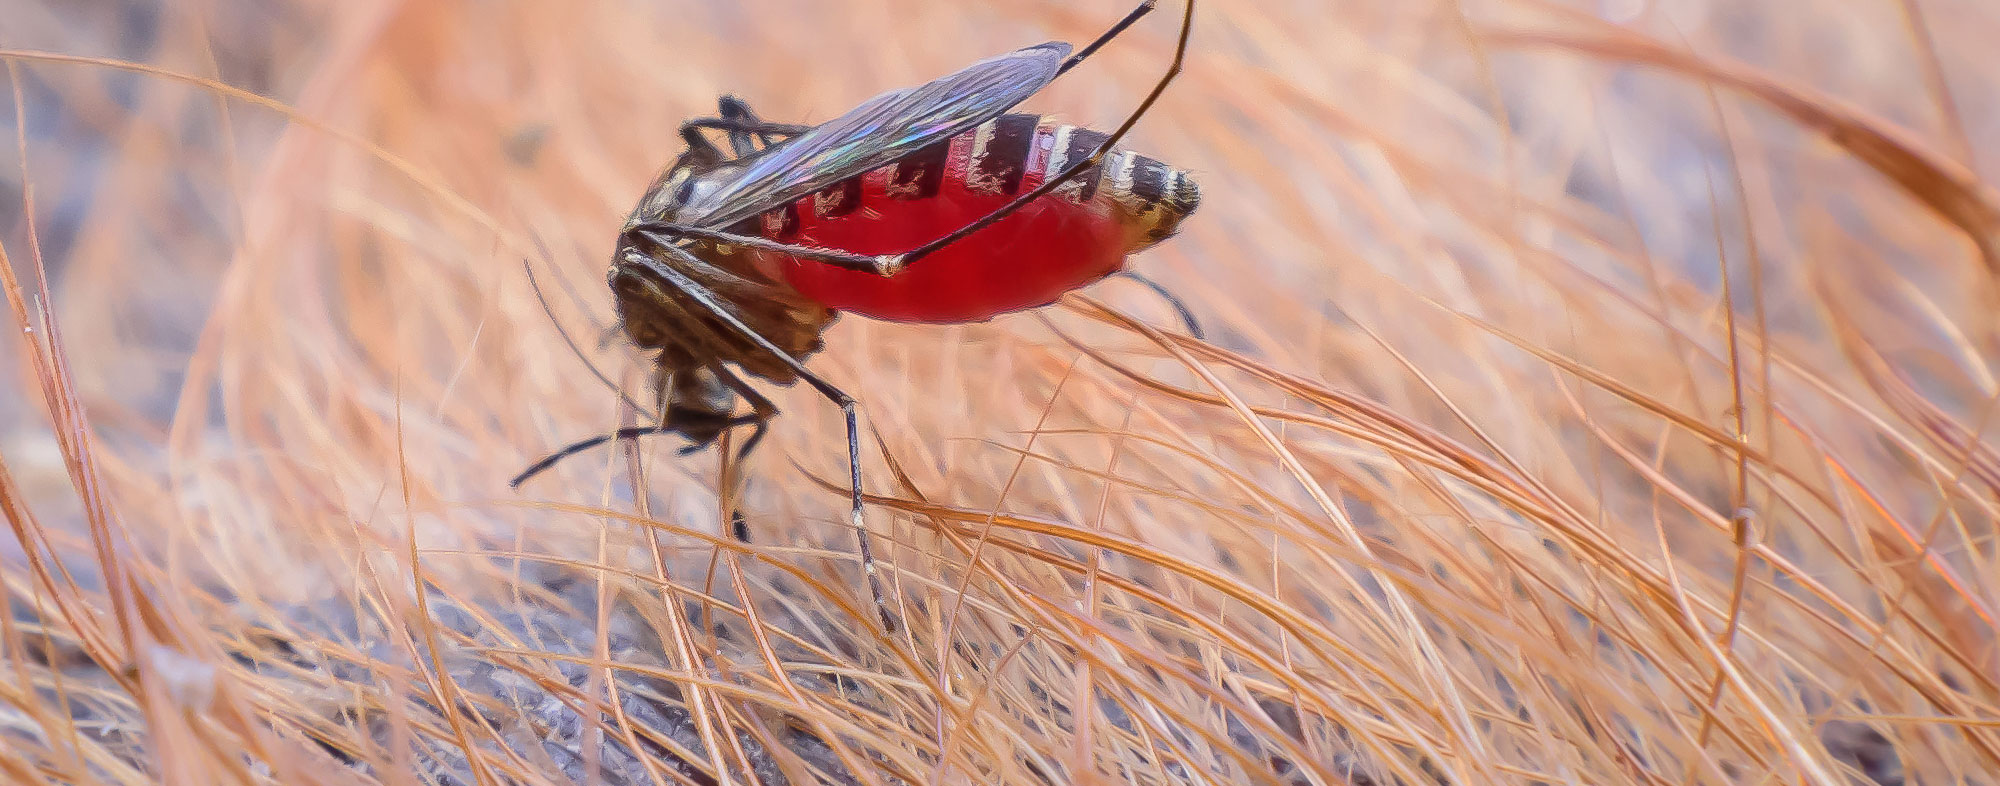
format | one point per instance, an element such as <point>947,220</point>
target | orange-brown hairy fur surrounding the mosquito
<point>1597,393</point>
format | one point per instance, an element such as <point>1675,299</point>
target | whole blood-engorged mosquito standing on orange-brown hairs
<point>921,205</point>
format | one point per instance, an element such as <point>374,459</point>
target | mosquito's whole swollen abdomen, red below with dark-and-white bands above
<point>1073,237</point>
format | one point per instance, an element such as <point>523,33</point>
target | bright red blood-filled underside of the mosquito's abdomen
<point>1025,261</point>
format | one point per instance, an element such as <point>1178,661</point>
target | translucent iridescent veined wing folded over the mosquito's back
<point>877,133</point>
